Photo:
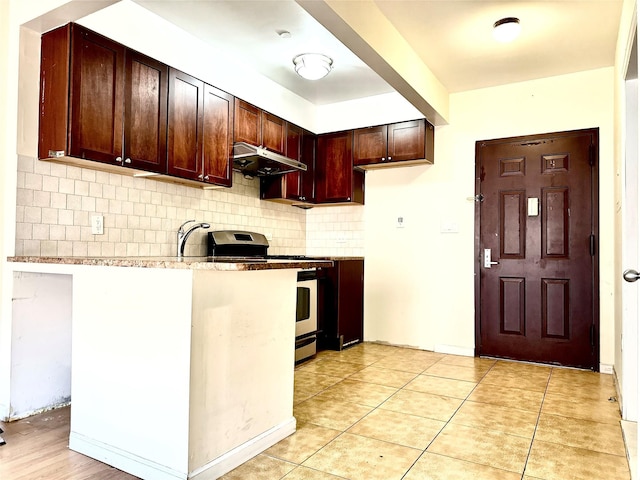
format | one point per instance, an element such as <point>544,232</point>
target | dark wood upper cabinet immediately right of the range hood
<point>294,187</point>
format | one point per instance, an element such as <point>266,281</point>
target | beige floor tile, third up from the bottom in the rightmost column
<point>601,411</point>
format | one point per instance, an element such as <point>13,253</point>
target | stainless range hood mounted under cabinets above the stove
<point>254,161</point>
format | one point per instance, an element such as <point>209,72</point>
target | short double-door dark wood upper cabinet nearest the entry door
<point>407,142</point>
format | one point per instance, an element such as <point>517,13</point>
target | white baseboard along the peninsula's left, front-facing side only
<point>122,459</point>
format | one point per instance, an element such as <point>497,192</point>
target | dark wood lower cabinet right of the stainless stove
<point>341,300</point>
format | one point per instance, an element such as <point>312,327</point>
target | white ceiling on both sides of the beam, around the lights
<point>453,38</point>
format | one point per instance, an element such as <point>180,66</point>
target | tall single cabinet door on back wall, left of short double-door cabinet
<point>334,168</point>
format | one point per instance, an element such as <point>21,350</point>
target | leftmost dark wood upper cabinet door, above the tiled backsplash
<point>97,97</point>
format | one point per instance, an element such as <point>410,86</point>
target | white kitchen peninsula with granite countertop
<point>181,367</point>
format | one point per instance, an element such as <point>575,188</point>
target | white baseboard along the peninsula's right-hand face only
<point>236,457</point>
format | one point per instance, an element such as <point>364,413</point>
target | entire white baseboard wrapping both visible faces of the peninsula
<point>150,470</point>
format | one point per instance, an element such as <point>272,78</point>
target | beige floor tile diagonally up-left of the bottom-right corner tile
<point>512,421</point>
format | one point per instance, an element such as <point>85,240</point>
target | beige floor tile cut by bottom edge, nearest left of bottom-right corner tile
<point>437,467</point>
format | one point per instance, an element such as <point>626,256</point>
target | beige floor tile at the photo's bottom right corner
<point>551,461</point>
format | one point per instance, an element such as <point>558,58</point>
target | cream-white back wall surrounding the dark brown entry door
<point>418,281</point>
